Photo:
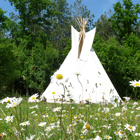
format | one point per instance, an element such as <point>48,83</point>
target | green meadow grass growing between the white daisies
<point>72,116</point>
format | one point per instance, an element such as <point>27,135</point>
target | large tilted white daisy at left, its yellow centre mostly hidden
<point>14,102</point>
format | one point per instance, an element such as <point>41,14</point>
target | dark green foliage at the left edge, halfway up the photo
<point>9,66</point>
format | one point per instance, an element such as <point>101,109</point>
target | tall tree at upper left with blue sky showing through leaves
<point>33,16</point>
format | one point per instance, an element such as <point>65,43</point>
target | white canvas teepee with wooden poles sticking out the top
<point>84,78</point>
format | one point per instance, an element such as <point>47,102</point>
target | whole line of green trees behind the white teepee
<point>34,43</point>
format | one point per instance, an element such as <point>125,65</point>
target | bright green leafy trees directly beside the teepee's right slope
<point>119,63</point>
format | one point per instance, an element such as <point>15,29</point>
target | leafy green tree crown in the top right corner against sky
<point>125,18</point>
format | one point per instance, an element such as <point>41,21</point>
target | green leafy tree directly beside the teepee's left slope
<point>38,64</point>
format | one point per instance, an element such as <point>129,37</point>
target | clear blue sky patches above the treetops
<point>97,7</point>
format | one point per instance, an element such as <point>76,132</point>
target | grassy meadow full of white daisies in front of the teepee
<point>35,119</point>
